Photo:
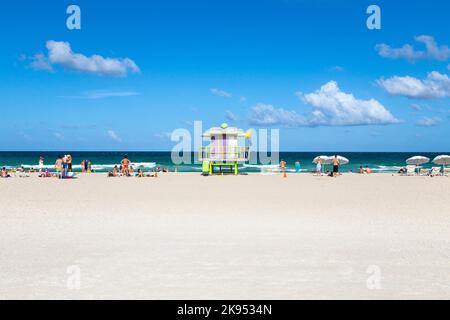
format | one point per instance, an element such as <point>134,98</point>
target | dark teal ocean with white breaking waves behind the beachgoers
<point>104,161</point>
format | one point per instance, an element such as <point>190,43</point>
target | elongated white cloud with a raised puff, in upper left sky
<point>60,53</point>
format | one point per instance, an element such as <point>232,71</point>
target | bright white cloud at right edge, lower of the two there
<point>436,85</point>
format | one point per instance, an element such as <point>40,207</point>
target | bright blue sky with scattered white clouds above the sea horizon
<point>310,68</point>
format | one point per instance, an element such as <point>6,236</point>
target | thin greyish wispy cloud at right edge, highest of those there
<point>432,50</point>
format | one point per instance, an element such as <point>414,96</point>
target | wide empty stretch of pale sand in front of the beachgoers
<point>183,236</point>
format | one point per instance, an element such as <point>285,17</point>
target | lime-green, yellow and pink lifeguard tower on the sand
<point>227,149</point>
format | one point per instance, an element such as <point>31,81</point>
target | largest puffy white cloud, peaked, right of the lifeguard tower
<point>330,107</point>
